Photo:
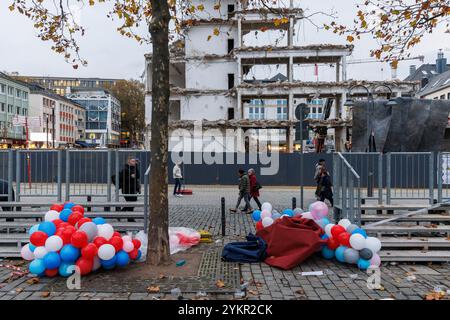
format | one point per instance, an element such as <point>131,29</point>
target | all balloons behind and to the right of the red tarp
<point>346,242</point>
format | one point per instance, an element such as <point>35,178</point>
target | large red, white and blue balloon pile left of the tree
<point>66,238</point>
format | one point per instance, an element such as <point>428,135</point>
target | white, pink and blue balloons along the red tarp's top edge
<point>318,211</point>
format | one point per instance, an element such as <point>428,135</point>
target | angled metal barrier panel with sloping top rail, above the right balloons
<point>347,189</point>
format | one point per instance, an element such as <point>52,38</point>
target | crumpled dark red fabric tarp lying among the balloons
<point>290,241</point>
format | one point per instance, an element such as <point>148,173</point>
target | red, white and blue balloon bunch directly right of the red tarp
<point>350,244</point>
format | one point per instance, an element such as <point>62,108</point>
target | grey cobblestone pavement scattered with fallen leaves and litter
<point>339,281</point>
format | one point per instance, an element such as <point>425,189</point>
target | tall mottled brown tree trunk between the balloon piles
<point>158,234</point>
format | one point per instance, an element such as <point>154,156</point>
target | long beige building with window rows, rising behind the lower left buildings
<point>63,85</point>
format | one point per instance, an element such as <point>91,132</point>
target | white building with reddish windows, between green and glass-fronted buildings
<point>61,120</point>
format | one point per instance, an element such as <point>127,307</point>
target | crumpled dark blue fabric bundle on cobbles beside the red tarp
<point>254,250</point>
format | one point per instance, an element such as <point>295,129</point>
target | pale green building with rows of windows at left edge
<point>14,101</point>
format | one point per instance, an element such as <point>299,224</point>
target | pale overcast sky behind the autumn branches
<point>113,56</point>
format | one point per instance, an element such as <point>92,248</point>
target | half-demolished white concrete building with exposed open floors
<point>216,82</point>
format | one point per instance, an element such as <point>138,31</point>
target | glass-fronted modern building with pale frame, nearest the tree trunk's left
<point>102,115</point>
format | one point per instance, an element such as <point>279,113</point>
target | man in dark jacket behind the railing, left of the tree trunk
<point>129,182</point>
